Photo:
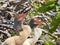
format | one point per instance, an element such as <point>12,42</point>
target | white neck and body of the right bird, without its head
<point>34,39</point>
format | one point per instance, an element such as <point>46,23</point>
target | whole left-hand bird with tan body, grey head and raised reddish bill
<point>23,31</point>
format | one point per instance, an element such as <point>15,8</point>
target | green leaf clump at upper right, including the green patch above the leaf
<point>48,6</point>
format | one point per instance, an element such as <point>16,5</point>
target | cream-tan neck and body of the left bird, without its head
<point>18,40</point>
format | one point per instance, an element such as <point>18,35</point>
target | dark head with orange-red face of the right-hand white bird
<point>37,20</point>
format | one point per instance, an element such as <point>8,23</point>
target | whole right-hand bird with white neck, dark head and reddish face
<point>37,32</point>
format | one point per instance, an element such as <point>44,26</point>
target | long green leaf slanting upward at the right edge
<point>54,24</point>
